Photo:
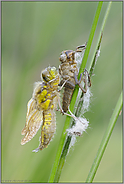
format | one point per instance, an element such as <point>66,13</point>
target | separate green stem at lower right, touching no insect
<point>105,139</point>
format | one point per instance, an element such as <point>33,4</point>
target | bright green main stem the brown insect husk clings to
<point>59,162</point>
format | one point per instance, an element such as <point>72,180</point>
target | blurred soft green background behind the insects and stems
<point>33,35</point>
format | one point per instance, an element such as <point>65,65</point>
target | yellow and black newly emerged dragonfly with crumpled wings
<point>40,109</point>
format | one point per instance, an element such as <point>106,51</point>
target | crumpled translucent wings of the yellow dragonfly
<point>34,120</point>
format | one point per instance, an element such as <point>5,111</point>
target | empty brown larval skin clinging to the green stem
<point>69,71</point>
